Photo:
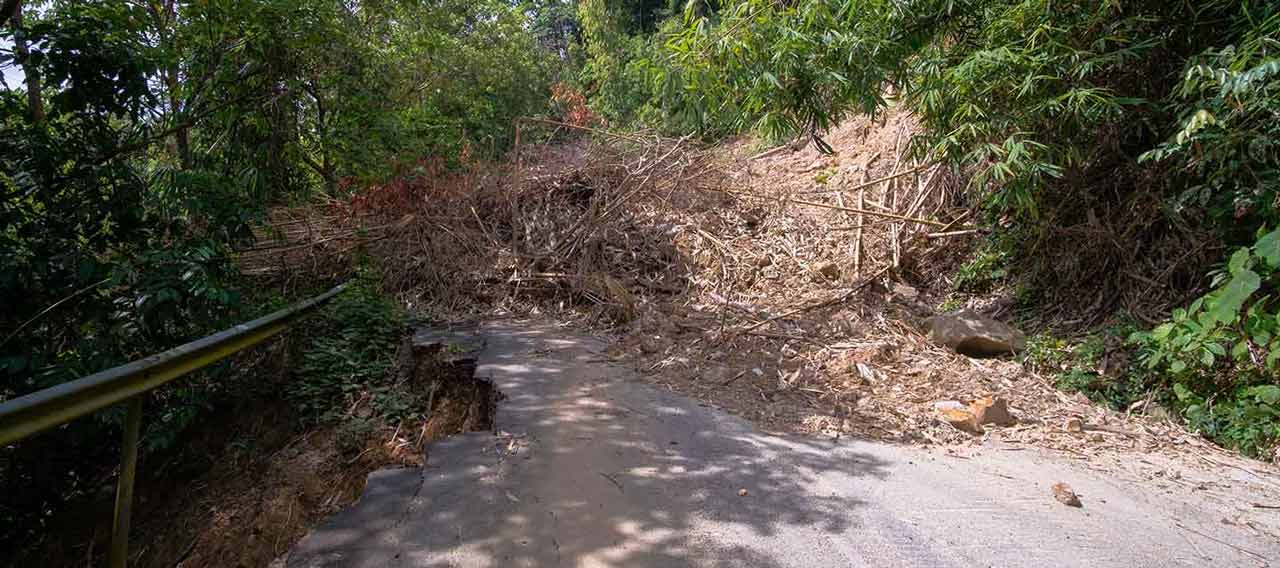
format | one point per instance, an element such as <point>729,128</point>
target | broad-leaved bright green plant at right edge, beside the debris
<point>1222,355</point>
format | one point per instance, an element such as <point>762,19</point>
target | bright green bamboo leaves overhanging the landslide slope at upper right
<point>1026,95</point>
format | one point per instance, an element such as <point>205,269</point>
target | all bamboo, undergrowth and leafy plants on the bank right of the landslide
<point>1124,157</point>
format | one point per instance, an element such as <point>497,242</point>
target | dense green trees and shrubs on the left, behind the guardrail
<point>144,143</point>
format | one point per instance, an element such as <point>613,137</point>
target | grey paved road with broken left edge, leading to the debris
<point>595,469</point>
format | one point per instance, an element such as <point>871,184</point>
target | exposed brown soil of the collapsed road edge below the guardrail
<point>250,484</point>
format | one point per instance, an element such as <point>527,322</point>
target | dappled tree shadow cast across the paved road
<point>591,468</point>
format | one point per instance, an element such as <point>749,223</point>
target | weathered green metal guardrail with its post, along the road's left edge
<point>56,406</point>
